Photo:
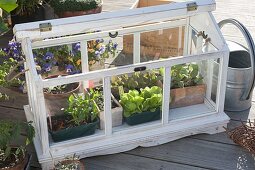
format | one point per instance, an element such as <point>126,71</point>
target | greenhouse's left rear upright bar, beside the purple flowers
<point>84,61</point>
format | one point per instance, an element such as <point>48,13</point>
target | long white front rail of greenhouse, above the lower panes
<point>130,68</point>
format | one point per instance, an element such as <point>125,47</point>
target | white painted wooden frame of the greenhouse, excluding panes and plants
<point>115,140</point>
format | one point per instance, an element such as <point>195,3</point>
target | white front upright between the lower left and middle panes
<point>107,105</point>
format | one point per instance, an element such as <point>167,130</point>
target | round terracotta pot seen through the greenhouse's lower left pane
<point>55,102</point>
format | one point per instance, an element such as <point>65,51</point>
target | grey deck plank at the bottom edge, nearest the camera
<point>124,161</point>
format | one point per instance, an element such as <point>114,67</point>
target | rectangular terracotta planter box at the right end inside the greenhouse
<point>187,96</point>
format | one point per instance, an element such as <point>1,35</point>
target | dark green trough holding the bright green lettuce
<point>143,117</point>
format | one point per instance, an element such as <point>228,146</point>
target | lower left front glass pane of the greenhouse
<point>73,110</point>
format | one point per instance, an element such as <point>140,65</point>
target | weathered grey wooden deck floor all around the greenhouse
<point>194,152</point>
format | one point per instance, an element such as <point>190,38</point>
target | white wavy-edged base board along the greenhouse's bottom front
<point>118,143</point>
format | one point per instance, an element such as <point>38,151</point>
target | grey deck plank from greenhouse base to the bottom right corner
<point>199,153</point>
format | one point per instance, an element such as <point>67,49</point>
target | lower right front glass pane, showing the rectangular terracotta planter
<point>191,88</point>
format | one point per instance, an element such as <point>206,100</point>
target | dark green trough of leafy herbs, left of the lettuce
<point>73,132</point>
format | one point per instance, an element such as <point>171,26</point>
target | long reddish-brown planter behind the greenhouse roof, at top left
<point>79,13</point>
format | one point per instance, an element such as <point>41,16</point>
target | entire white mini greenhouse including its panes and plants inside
<point>140,77</point>
